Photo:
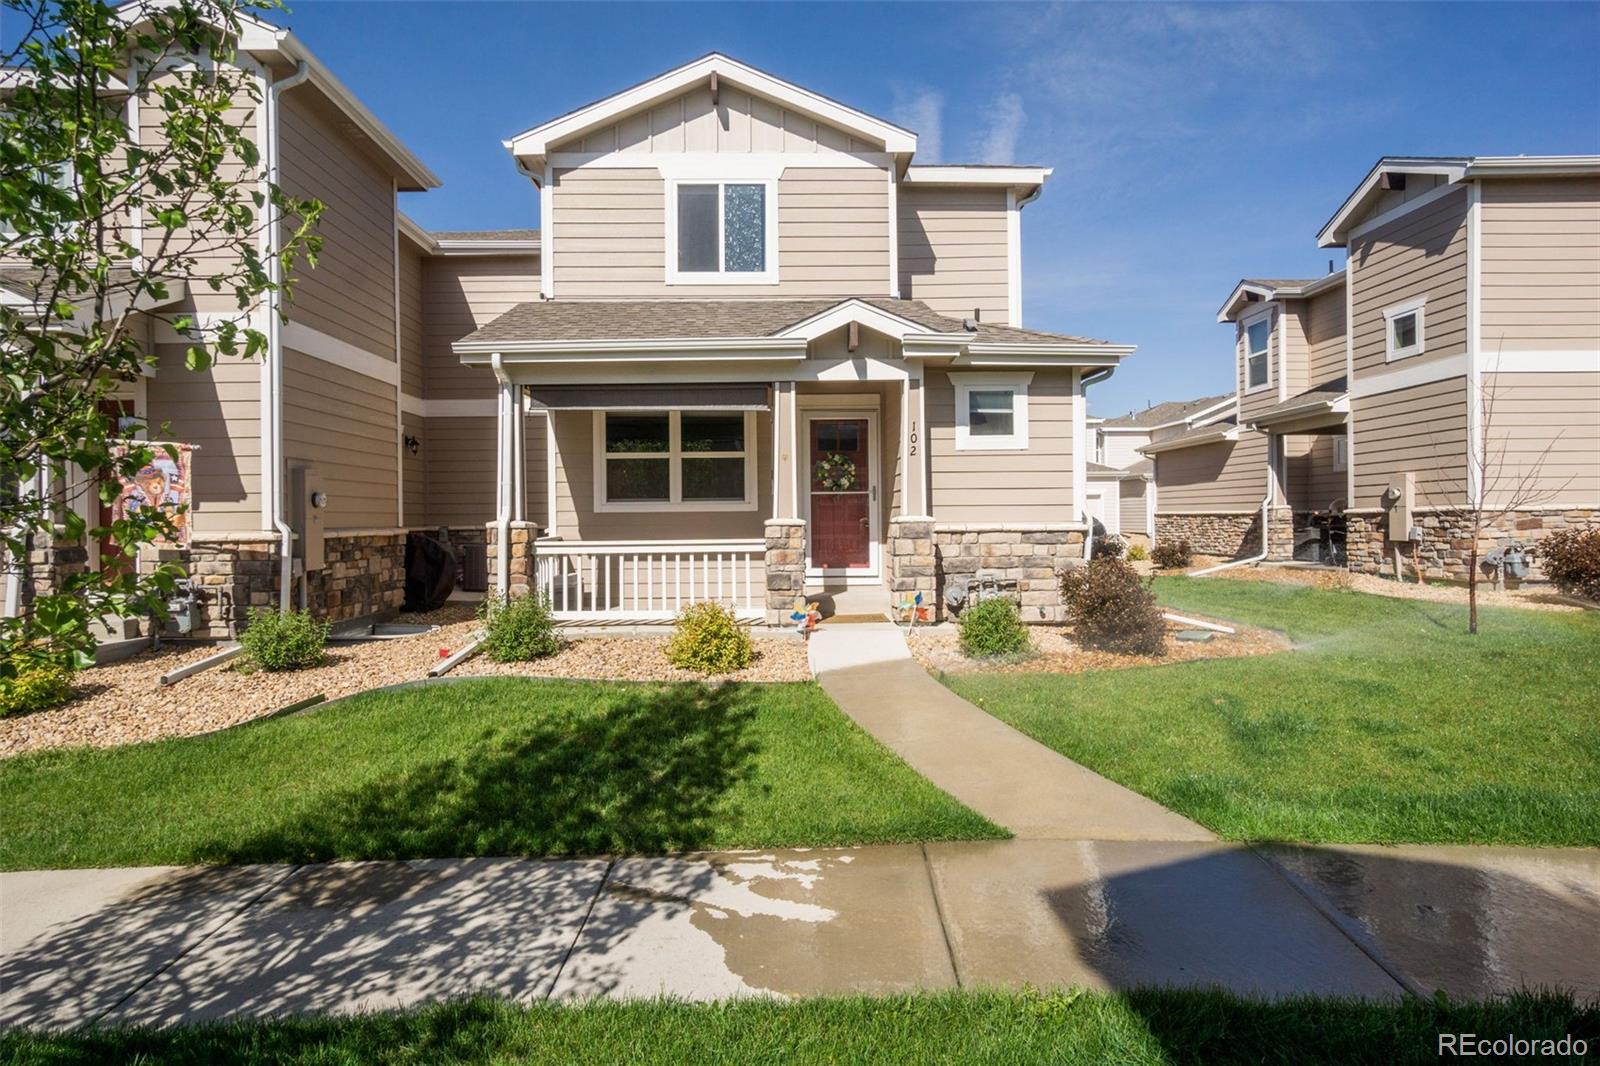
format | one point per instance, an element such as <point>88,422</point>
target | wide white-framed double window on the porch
<point>674,462</point>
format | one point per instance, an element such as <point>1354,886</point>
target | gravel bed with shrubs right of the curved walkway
<point>1055,652</point>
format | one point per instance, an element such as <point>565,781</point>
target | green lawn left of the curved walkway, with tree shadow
<point>482,767</point>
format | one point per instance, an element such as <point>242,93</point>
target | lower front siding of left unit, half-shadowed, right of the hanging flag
<point>218,411</point>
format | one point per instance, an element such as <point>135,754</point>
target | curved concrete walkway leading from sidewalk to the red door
<point>999,772</point>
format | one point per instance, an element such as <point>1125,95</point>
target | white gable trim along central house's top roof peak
<point>537,142</point>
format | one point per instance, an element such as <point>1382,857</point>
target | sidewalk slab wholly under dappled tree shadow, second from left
<point>353,937</point>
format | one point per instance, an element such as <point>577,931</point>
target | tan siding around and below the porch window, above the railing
<point>577,518</point>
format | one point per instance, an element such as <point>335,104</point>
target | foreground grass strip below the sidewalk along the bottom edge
<point>1002,1028</point>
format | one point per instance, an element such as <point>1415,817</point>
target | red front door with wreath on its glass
<point>841,486</point>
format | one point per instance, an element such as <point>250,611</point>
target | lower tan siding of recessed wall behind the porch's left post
<point>460,460</point>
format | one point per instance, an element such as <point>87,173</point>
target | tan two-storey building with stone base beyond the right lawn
<point>1455,363</point>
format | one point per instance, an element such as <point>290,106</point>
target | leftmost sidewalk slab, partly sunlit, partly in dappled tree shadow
<point>78,944</point>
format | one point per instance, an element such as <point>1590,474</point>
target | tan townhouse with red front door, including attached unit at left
<point>756,353</point>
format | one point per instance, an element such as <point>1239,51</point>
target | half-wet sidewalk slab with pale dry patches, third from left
<point>762,923</point>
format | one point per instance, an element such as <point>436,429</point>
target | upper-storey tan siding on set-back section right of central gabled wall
<point>954,250</point>
